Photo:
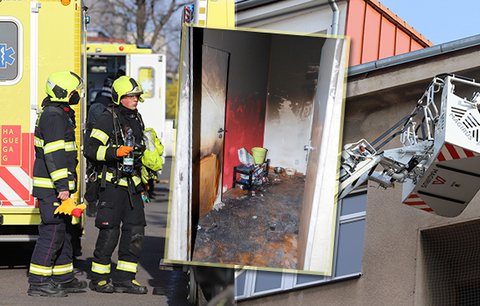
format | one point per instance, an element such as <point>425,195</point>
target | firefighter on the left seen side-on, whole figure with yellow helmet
<point>54,180</point>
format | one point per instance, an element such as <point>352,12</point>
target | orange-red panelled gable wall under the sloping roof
<point>377,33</point>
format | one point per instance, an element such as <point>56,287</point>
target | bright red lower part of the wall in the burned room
<point>245,125</point>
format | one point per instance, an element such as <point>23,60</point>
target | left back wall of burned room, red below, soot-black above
<point>246,93</point>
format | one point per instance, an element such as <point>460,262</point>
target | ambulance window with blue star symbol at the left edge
<point>10,51</point>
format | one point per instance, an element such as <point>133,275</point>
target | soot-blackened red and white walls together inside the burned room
<point>271,86</point>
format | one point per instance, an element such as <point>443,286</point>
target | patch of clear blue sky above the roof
<point>439,21</point>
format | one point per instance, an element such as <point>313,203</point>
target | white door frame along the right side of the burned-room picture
<point>318,215</point>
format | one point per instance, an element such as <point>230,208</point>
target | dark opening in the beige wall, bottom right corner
<point>450,264</point>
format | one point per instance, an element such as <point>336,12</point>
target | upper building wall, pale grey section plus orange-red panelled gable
<point>375,32</point>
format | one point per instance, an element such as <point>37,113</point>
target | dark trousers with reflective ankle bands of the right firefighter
<point>120,216</point>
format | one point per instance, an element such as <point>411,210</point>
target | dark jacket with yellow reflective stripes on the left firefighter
<point>56,160</point>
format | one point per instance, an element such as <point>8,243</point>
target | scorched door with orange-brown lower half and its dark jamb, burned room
<point>208,122</point>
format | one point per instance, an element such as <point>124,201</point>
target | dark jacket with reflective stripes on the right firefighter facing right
<point>108,133</point>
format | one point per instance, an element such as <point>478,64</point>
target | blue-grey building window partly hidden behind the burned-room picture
<point>347,262</point>
